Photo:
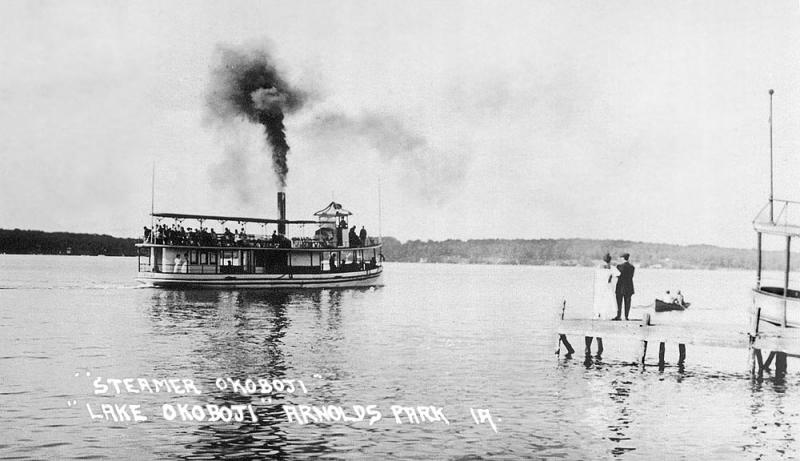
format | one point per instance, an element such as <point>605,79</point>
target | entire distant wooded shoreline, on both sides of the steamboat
<point>561,252</point>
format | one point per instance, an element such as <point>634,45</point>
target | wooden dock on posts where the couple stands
<point>780,342</point>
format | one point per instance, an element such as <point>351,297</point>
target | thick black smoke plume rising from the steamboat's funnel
<point>247,84</point>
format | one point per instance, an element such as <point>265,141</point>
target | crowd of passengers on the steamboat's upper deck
<point>177,235</point>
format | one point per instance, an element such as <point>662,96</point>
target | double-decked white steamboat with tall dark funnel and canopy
<point>183,250</point>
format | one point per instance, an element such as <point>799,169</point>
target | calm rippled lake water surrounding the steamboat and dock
<point>456,337</point>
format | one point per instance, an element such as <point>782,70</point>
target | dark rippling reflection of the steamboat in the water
<point>240,335</point>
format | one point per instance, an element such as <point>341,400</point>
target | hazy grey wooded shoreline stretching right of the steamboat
<point>578,252</point>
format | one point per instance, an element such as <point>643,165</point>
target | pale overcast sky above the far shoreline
<point>631,120</point>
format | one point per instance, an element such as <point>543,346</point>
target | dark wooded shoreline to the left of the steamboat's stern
<point>53,243</point>
